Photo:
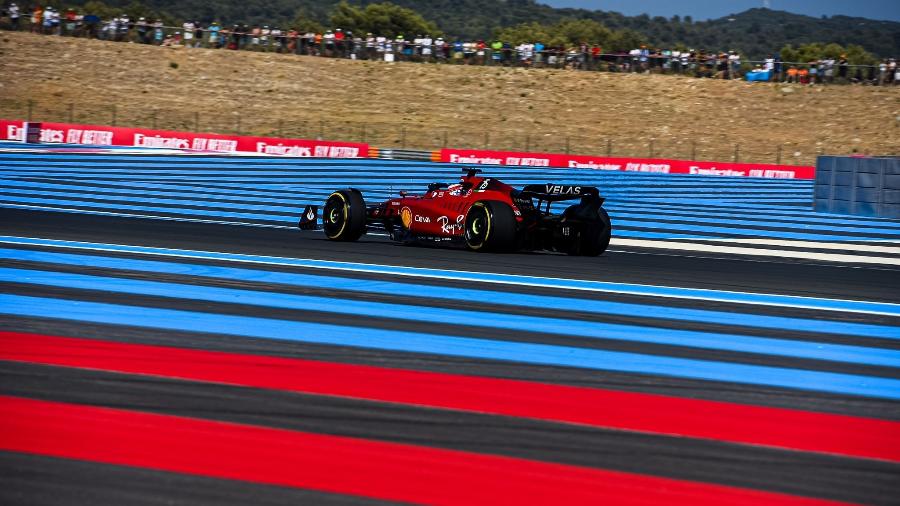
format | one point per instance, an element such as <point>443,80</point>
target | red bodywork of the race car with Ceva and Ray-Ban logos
<point>442,212</point>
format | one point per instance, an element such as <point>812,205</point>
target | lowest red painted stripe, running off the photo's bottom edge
<point>336,464</point>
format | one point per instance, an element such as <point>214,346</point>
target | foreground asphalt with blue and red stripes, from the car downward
<point>127,342</point>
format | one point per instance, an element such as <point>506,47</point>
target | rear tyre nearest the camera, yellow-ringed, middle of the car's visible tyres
<point>490,226</point>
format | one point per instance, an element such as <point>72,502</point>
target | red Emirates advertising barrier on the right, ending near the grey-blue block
<point>653,165</point>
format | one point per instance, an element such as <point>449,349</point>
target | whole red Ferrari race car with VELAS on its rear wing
<point>483,213</point>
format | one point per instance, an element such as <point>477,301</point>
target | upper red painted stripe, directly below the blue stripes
<point>757,425</point>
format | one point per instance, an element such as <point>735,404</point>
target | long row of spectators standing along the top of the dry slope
<point>338,43</point>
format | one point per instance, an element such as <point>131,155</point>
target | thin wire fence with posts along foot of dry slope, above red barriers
<point>404,136</point>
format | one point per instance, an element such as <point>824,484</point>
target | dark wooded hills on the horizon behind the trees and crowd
<point>756,32</point>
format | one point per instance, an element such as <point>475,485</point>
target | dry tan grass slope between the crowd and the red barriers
<point>427,106</point>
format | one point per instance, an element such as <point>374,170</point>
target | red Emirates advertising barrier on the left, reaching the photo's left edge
<point>142,137</point>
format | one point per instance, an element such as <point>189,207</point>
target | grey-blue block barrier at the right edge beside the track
<point>864,186</point>
